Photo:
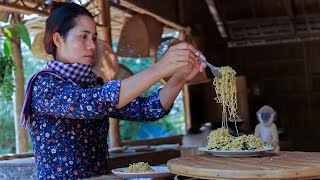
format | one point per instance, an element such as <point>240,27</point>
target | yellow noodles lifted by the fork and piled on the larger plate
<point>220,139</point>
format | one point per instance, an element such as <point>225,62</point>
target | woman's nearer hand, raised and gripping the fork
<point>176,57</point>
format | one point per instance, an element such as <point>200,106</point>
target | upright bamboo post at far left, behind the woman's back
<point>20,133</point>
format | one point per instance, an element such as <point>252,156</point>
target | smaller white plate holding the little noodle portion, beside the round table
<point>159,172</point>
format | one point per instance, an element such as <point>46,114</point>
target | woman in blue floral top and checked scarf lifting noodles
<point>67,106</point>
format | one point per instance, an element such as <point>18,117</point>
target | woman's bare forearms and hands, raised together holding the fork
<point>180,59</point>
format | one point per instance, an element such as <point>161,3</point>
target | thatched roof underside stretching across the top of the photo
<point>239,23</point>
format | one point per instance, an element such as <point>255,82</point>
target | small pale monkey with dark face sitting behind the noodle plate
<point>266,129</point>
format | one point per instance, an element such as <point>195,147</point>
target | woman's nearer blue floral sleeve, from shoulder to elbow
<point>54,97</point>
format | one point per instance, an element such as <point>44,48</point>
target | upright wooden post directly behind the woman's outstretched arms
<point>114,131</point>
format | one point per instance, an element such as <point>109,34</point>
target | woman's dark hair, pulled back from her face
<point>62,18</point>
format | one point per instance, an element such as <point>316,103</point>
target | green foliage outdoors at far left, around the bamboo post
<point>31,65</point>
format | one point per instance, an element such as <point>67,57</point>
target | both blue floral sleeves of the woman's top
<point>54,97</point>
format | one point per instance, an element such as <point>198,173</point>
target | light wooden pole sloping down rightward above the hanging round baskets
<point>140,10</point>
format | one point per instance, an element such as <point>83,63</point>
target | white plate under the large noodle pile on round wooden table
<point>242,153</point>
